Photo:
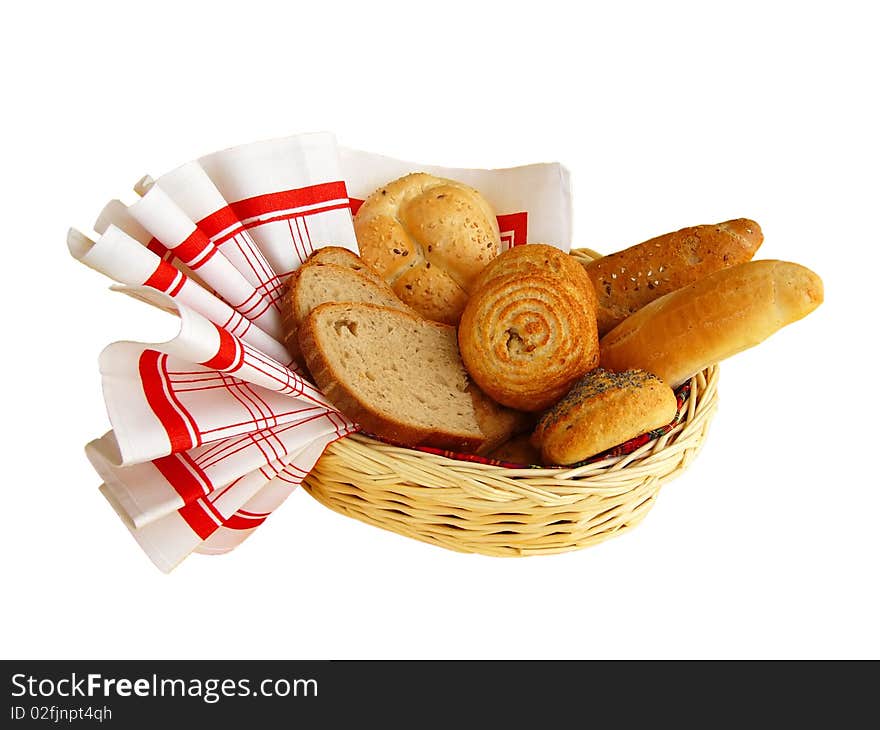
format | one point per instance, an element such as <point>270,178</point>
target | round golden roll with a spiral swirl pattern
<point>529,329</point>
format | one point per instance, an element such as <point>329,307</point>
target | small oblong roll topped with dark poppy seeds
<point>603,409</point>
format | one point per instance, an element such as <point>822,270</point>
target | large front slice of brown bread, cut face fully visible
<point>396,374</point>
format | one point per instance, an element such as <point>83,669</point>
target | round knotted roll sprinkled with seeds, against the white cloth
<point>428,237</point>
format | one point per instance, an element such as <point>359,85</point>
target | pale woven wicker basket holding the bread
<point>481,508</point>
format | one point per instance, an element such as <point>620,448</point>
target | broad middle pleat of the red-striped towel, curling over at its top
<point>201,385</point>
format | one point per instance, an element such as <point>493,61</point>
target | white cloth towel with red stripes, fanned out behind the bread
<point>214,428</point>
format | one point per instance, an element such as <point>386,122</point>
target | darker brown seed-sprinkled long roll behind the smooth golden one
<point>628,280</point>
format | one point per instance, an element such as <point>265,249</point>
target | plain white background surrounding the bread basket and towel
<point>667,114</point>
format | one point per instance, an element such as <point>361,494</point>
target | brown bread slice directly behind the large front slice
<point>318,281</point>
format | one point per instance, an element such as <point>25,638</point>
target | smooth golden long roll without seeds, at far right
<point>733,309</point>
